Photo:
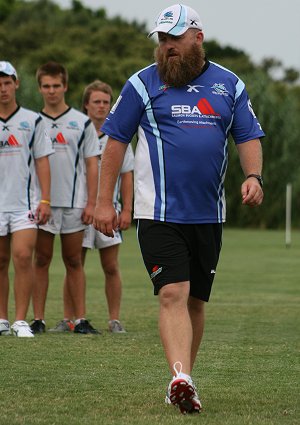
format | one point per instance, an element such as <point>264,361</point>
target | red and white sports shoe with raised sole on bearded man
<point>182,393</point>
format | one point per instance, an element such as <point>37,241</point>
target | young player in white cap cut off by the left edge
<point>24,197</point>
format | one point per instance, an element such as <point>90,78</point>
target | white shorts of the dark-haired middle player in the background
<point>64,220</point>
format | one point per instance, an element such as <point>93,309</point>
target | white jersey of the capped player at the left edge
<point>23,139</point>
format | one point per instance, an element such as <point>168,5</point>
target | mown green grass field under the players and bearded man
<point>247,371</point>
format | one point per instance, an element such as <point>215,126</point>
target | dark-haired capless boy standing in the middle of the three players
<point>74,170</point>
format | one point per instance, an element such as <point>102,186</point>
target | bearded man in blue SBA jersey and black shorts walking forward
<point>183,108</point>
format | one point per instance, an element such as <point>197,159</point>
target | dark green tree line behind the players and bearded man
<point>93,46</point>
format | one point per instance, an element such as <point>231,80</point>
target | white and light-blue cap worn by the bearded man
<point>176,20</point>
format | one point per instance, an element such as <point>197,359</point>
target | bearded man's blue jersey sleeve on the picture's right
<point>245,125</point>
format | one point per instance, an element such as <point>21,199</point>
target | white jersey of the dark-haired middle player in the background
<point>74,139</point>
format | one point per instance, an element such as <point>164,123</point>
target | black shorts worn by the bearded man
<point>181,252</point>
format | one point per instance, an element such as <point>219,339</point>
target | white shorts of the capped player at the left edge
<point>11,222</point>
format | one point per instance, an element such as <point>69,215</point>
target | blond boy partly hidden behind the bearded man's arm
<point>96,103</point>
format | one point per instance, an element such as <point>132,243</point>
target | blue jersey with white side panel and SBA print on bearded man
<point>182,151</point>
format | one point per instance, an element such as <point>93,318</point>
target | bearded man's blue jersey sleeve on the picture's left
<point>124,118</point>
